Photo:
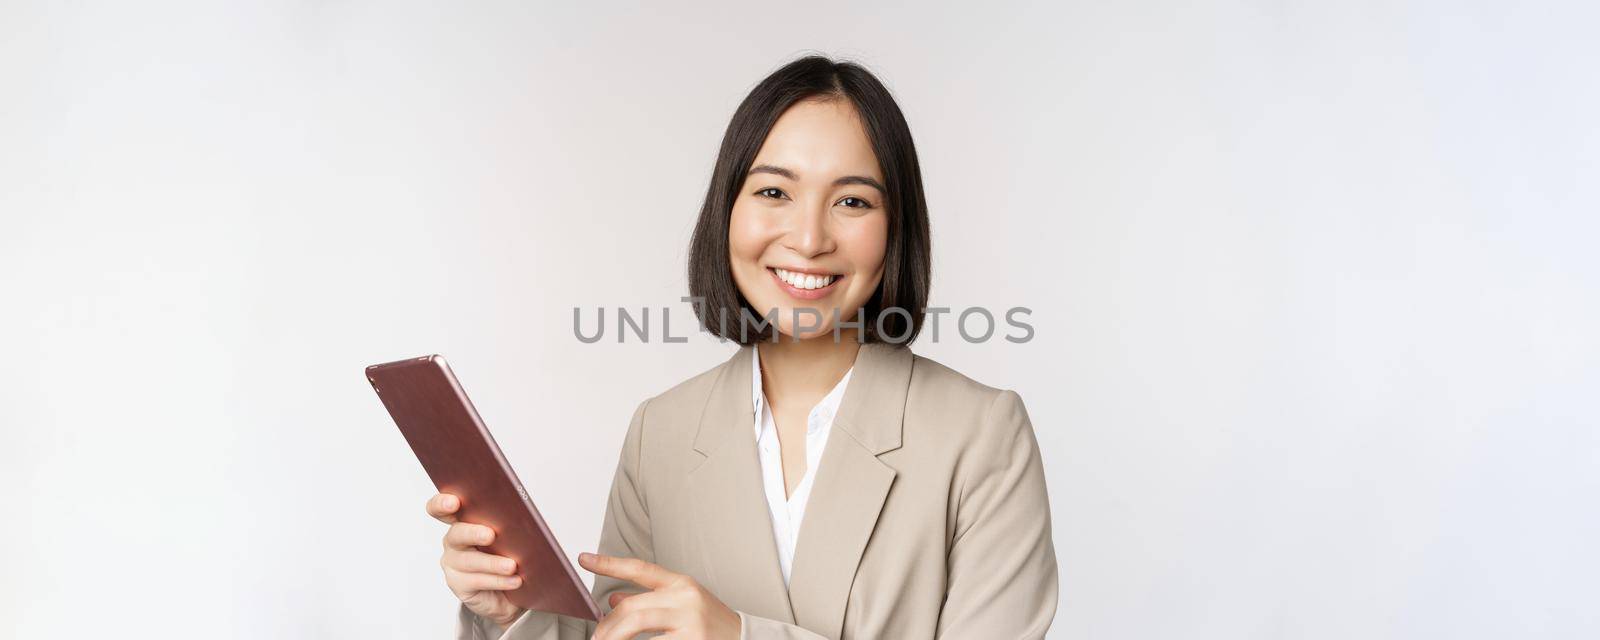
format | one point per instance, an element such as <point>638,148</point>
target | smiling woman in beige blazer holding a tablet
<point>921,492</point>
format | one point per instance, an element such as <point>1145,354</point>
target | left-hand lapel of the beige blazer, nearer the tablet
<point>730,505</point>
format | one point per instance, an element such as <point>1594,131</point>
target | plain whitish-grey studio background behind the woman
<point>1314,286</point>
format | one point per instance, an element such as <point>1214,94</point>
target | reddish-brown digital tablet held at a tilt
<point>463,460</point>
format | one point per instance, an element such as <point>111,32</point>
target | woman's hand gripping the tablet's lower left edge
<point>478,578</point>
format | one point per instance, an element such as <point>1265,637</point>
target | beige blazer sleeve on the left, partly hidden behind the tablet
<point>625,534</point>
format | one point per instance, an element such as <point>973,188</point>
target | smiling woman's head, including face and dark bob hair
<point>815,202</point>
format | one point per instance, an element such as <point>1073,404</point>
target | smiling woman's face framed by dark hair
<point>809,230</point>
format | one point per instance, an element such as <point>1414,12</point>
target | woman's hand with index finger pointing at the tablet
<point>674,606</point>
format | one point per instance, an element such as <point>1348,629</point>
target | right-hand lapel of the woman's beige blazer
<point>850,489</point>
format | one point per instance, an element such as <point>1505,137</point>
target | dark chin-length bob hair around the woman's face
<point>903,292</point>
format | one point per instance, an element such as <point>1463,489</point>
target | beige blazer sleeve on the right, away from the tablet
<point>1002,577</point>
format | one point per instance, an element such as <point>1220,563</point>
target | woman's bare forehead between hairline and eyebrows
<point>820,140</point>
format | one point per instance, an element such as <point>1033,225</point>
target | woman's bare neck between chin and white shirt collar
<point>809,369</point>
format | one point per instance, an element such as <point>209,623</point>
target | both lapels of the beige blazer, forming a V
<point>730,508</point>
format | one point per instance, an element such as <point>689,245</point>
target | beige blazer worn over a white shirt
<point>929,516</point>
